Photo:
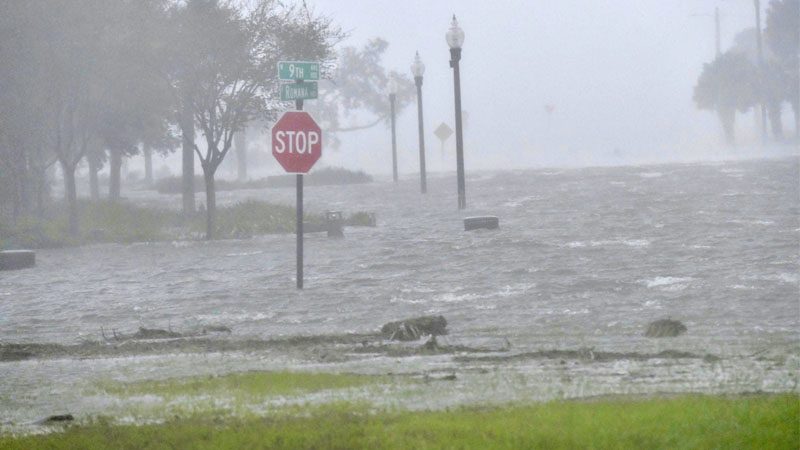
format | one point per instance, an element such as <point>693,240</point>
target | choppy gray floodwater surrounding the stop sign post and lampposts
<point>553,304</point>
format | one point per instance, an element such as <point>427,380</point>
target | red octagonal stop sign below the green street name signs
<point>296,141</point>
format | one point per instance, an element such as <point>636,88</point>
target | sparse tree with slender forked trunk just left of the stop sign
<point>232,77</point>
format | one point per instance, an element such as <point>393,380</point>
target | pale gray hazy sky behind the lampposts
<point>620,74</point>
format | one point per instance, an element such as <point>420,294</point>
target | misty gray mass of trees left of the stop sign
<point>94,81</point>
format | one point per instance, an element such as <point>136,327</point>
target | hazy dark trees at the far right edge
<point>737,80</point>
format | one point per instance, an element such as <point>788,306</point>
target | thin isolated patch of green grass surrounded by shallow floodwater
<point>245,384</point>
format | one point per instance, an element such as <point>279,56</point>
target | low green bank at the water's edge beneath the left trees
<point>124,222</point>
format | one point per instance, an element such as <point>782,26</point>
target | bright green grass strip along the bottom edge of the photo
<point>757,422</point>
